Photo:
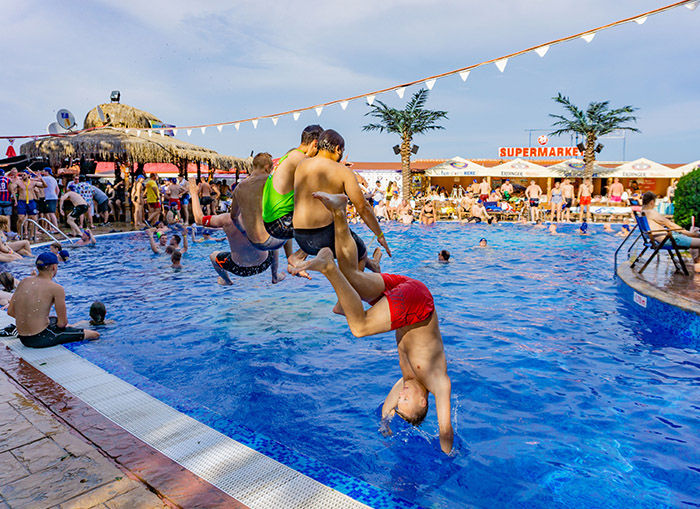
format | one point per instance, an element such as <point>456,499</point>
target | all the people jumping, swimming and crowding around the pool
<point>309,198</point>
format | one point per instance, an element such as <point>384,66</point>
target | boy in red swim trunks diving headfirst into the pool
<point>398,303</point>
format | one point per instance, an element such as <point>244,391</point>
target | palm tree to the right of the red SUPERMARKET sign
<point>595,122</point>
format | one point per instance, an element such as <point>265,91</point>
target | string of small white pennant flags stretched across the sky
<point>500,62</point>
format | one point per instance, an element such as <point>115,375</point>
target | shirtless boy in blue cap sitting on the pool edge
<point>31,305</point>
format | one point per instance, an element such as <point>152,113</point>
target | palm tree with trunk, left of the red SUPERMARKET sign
<point>412,120</point>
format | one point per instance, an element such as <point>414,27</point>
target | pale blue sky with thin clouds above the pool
<point>213,61</point>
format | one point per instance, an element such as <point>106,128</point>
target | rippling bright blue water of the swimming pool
<point>562,394</point>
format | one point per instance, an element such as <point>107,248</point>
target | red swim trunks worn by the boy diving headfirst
<point>410,301</point>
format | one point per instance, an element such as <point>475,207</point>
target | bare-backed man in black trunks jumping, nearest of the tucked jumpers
<point>313,224</point>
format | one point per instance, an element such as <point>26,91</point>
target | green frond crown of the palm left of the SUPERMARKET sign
<point>413,119</point>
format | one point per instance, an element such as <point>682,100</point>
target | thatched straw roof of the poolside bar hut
<point>114,143</point>
